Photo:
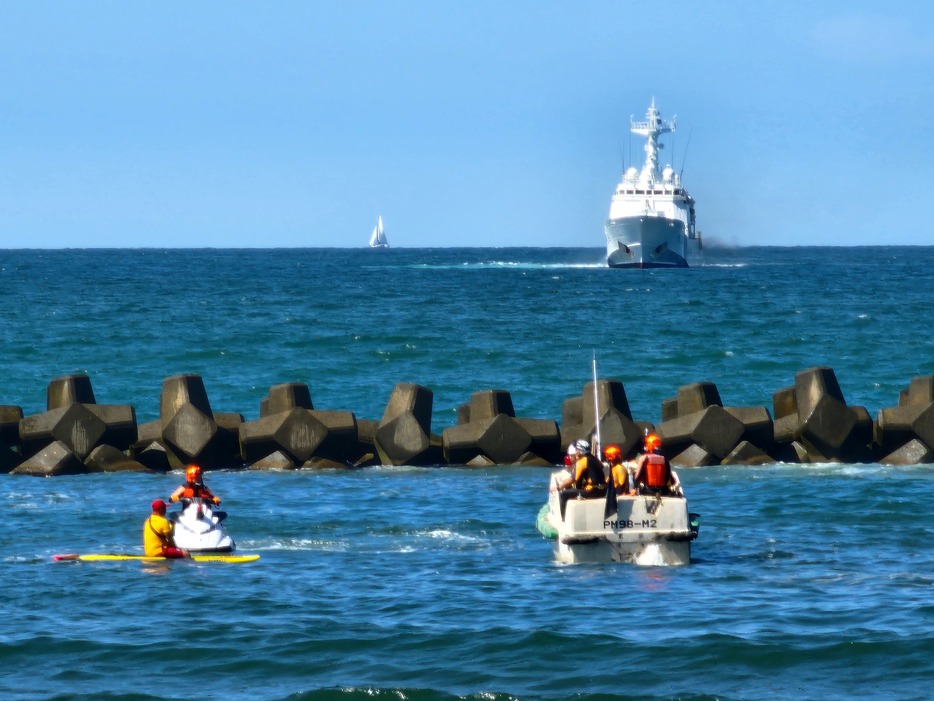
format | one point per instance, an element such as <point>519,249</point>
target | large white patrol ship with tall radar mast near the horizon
<point>651,222</point>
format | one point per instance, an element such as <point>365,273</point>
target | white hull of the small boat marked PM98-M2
<point>644,530</point>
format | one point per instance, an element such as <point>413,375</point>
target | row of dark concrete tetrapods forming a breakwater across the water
<point>809,422</point>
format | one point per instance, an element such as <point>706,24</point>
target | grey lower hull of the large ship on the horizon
<point>646,242</point>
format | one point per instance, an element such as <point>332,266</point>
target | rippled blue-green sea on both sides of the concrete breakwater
<point>807,581</point>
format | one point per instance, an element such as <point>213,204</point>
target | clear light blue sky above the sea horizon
<point>482,123</point>
